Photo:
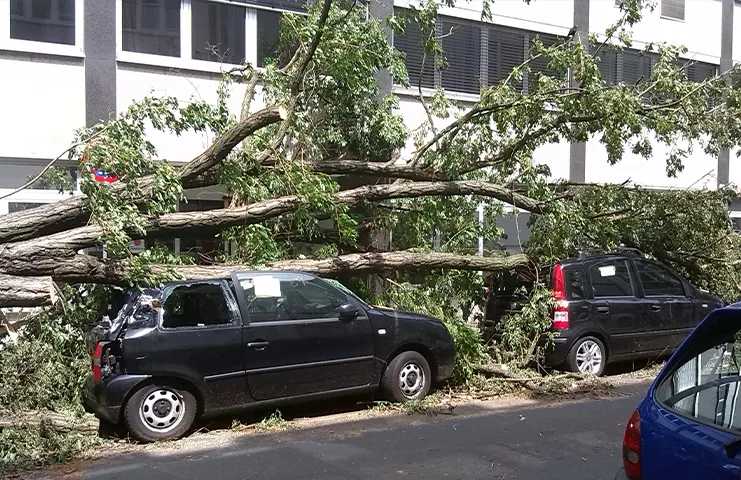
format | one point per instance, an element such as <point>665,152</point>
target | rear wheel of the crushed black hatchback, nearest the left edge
<point>160,412</point>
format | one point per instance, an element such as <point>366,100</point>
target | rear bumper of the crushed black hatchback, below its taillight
<point>105,399</point>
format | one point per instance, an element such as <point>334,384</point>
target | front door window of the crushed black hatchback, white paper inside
<point>290,297</point>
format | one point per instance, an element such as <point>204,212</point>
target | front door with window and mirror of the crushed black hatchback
<point>295,342</point>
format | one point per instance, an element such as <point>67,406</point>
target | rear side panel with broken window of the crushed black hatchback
<point>199,339</point>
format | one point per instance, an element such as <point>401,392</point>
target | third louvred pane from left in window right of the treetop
<point>507,50</point>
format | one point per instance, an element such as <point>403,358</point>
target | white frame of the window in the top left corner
<point>32,46</point>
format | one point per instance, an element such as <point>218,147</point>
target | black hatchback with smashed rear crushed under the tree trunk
<point>255,339</point>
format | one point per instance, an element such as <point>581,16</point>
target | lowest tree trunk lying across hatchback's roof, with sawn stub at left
<point>88,269</point>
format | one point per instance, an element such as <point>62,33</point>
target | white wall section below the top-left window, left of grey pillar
<point>42,100</point>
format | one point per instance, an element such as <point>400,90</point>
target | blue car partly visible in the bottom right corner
<point>688,425</point>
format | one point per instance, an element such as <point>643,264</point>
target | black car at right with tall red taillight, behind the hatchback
<point>610,307</point>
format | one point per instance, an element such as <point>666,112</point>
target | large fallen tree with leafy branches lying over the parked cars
<point>282,166</point>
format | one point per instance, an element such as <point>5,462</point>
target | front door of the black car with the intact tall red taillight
<point>668,316</point>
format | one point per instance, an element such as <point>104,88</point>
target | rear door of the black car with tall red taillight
<point>615,307</point>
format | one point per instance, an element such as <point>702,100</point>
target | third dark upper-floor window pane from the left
<point>218,32</point>
